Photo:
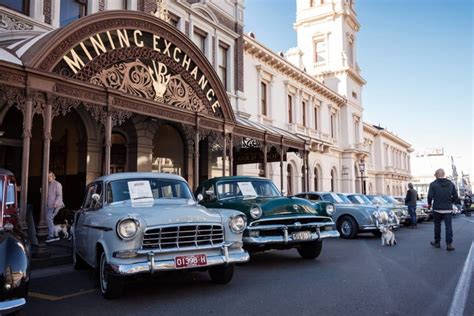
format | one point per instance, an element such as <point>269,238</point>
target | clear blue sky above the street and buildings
<point>417,58</point>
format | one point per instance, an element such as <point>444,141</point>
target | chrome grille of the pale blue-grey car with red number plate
<point>183,236</point>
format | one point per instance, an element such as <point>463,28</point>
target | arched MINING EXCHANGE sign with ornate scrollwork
<point>146,65</point>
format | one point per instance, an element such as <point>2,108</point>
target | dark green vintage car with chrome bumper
<point>274,221</point>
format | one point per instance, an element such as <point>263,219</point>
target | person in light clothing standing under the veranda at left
<point>55,203</point>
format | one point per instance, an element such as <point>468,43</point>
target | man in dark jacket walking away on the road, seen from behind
<point>443,193</point>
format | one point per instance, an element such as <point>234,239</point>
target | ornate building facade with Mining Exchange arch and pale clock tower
<point>87,88</point>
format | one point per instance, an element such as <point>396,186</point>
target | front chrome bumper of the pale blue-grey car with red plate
<point>153,263</point>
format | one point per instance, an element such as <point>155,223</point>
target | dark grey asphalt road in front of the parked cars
<point>351,277</point>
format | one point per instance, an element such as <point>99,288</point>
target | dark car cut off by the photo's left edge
<point>14,249</point>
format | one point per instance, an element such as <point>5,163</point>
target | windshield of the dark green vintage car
<point>246,189</point>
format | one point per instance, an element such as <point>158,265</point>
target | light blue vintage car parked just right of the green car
<point>350,218</point>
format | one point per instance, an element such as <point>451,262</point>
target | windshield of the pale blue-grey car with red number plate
<point>119,190</point>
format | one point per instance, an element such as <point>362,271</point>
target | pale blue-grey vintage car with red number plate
<point>141,223</point>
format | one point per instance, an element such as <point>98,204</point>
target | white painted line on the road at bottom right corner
<point>462,289</point>
